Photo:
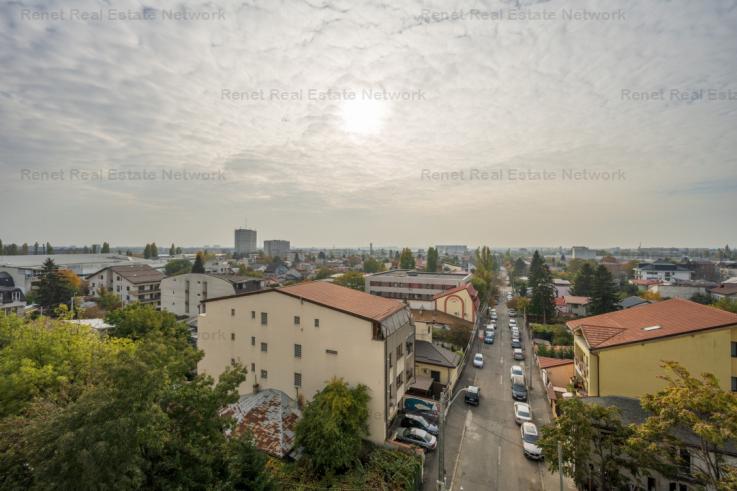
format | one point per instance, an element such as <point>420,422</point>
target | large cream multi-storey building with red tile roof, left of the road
<point>297,338</point>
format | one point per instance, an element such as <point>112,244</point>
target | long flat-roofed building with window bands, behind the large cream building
<point>416,288</point>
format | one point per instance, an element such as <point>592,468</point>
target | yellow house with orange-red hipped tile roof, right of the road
<point>620,353</point>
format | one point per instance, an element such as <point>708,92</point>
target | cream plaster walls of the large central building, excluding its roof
<point>342,346</point>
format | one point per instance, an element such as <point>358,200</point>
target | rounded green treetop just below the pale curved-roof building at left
<point>136,321</point>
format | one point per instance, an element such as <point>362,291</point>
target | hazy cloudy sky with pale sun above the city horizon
<point>339,123</point>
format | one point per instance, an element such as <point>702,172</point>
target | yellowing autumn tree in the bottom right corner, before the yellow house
<point>706,410</point>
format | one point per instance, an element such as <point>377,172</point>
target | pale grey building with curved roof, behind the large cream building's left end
<point>181,294</point>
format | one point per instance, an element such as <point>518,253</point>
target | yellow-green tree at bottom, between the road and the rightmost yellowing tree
<point>594,446</point>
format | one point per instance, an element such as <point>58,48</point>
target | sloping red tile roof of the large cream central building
<point>344,299</point>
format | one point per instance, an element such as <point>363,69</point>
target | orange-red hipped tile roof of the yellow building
<point>648,322</point>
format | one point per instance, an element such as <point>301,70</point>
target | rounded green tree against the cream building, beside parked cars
<point>333,425</point>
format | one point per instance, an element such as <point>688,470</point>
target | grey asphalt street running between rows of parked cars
<point>483,448</point>
